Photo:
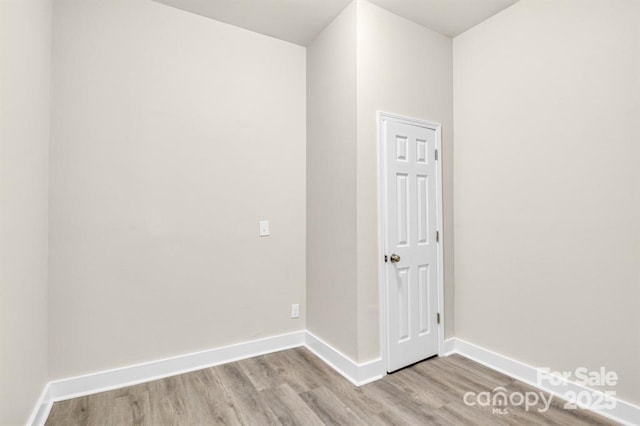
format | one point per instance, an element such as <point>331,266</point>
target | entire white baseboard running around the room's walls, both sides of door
<point>357,373</point>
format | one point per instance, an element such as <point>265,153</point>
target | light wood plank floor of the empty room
<point>294,387</point>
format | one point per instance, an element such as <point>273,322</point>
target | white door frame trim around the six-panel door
<point>381,117</point>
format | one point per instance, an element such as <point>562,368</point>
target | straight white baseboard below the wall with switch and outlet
<point>145,372</point>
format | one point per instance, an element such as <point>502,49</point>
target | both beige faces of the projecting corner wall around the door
<point>367,60</point>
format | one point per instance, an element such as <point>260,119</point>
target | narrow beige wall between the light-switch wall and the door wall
<point>331,184</point>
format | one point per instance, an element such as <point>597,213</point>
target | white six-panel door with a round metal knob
<point>411,266</point>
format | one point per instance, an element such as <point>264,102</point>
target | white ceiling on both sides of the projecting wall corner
<point>298,21</point>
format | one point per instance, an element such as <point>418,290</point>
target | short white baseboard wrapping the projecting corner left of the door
<point>357,373</point>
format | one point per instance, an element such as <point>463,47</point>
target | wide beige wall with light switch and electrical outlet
<point>172,136</point>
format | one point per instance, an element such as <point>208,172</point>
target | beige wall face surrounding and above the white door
<point>403,68</point>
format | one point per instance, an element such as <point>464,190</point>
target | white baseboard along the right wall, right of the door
<point>623,412</point>
